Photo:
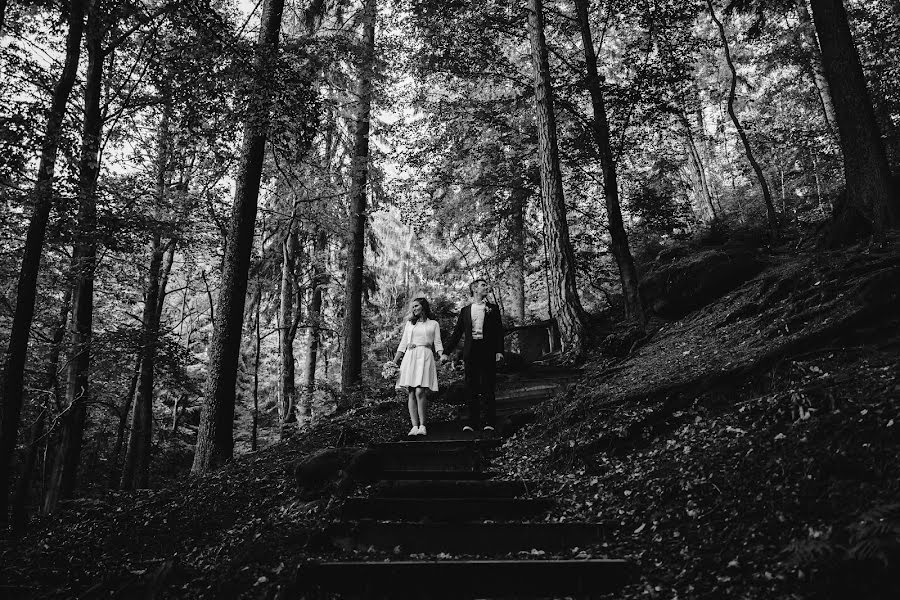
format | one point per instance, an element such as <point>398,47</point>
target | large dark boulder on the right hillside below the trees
<point>673,288</point>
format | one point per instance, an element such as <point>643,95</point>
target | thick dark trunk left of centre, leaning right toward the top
<point>215,436</point>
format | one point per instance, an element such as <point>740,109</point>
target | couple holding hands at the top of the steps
<point>480,328</point>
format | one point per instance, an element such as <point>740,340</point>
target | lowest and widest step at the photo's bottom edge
<point>461,579</point>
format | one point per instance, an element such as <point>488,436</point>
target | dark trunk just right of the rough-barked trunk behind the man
<point>634,303</point>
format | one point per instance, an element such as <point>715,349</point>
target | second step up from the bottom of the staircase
<point>465,538</point>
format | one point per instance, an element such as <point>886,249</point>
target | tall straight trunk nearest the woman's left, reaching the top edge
<point>351,365</point>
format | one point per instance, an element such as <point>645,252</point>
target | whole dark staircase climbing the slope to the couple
<point>439,525</point>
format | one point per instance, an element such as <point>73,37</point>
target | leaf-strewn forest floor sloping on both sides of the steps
<point>747,450</point>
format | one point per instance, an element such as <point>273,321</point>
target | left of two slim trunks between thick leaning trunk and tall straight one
<point>288,395</point>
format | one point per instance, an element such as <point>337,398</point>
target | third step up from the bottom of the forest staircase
<point>443,509</point>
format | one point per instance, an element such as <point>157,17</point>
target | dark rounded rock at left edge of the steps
<point>335,470</point>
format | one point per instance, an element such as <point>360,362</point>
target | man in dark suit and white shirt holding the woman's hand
<point>480,327</point>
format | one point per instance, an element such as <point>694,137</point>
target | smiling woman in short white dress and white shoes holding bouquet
<point>418,369</point>
